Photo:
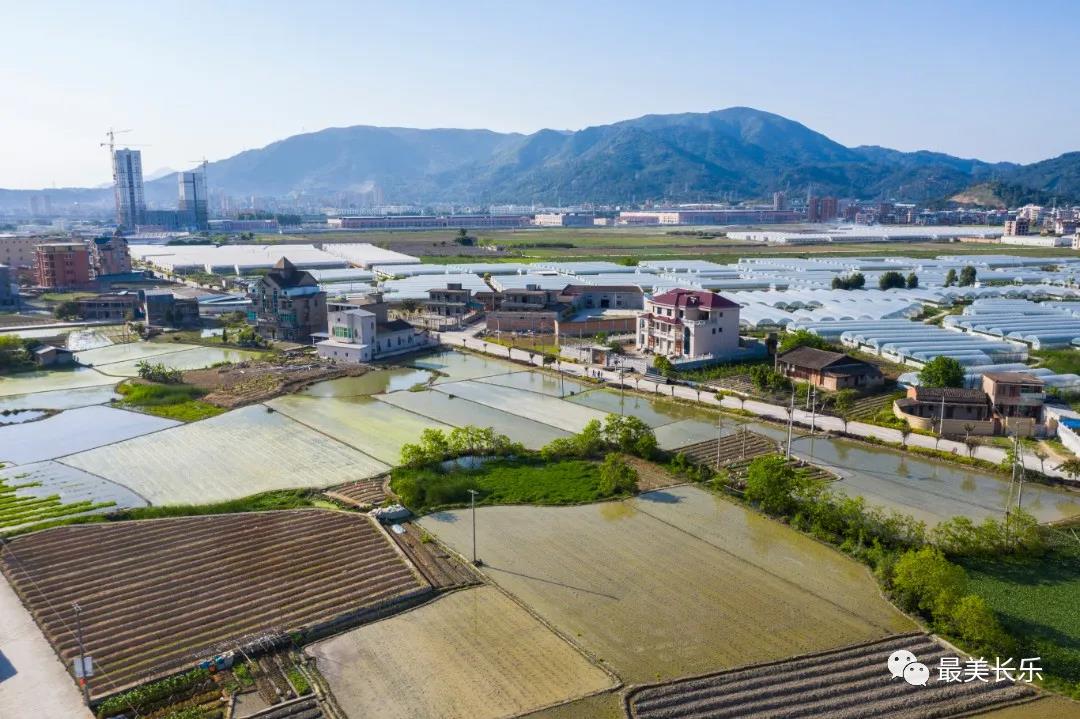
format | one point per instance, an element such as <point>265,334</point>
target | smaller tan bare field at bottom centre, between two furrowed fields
<point>474,655</point>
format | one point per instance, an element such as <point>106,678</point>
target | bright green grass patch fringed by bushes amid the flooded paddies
<point>501,482</point>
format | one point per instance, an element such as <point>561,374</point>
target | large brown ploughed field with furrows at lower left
<point>158,595</point>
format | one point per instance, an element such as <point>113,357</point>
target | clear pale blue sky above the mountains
<point>197,79</point>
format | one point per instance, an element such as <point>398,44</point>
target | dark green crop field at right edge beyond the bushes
<point>1037,600</point>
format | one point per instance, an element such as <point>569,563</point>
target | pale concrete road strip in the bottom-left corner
<point>33,681</point>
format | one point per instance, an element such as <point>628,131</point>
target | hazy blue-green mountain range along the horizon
<point>738,153</point>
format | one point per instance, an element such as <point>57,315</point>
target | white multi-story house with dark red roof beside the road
<point>690,324</point>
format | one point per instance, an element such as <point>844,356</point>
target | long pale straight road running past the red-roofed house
<point>995,455</point>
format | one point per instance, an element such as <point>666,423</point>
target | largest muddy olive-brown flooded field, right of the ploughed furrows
<point>656,600</point>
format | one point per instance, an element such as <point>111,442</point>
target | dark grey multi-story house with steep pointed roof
<point>289,305</point>
